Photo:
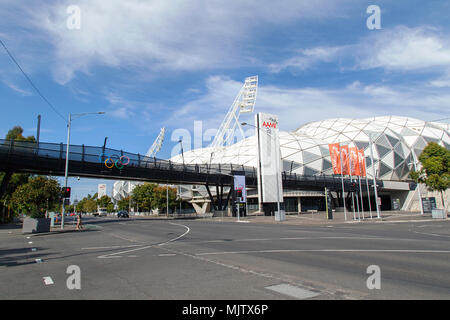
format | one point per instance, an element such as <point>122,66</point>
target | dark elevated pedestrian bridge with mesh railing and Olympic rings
<point>105,163</point>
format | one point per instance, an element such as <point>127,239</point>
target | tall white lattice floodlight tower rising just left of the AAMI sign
<point>243,103</point>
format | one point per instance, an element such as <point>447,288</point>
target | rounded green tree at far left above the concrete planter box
<point>36,196</point>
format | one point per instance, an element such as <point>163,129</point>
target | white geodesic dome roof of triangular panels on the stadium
<point>305,151</point>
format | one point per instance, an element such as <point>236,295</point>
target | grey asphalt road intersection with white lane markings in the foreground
<point>195,259</point>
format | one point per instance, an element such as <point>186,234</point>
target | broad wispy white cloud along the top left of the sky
<point>158,35</point>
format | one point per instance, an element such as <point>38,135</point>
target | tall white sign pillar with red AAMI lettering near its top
<point>269,158</point>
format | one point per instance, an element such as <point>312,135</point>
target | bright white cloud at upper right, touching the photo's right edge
<point>397,49</point>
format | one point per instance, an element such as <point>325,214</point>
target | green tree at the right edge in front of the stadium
<point>435,171</point>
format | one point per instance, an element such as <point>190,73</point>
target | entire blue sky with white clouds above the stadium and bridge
<point>179,64</point>
